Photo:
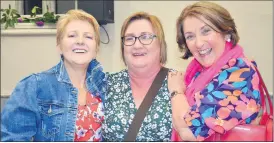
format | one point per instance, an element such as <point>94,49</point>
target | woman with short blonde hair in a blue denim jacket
<point>63,103</point>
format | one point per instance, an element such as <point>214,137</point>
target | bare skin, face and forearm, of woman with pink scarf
<point>207,46</point>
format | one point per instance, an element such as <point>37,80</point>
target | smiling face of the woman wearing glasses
<point>139,55</point>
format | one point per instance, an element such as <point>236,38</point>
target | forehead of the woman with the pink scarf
<point>192,23</point>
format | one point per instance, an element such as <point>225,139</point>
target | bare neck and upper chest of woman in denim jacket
<point>77,74</point>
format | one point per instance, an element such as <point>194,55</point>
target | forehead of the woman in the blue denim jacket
<point>79,25</point>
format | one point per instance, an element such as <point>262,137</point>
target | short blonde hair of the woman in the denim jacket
<point>76,15</point>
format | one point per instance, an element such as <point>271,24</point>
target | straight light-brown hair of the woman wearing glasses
<point>157,27</point>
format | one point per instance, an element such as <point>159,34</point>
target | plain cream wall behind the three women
<point>253,19</point>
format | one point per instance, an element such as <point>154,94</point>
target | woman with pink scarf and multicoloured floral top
<point>219,89</point>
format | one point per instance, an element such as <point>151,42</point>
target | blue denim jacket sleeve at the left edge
<point>20,114</point>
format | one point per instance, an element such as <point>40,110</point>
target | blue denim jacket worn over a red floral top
<point>43,106</point>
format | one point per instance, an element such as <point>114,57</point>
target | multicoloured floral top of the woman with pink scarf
<point>230,98</point>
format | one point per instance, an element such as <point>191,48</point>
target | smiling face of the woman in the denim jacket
<point>78,45</point>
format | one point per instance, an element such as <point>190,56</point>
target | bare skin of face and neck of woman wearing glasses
<point>143,61</point>
